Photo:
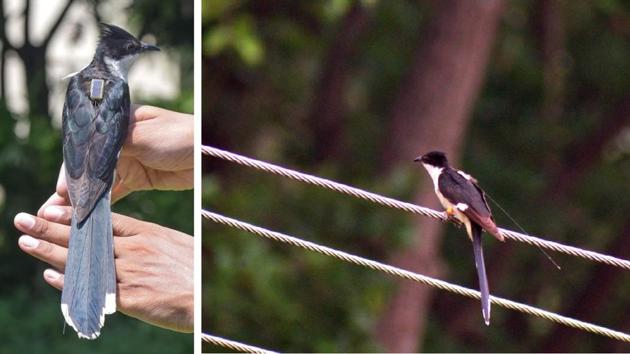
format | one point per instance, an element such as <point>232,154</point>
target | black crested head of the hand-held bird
<point>119,49</point>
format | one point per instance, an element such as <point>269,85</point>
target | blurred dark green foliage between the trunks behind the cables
<point>265,59</point>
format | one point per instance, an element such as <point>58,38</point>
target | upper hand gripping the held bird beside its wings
<point>158,154</point>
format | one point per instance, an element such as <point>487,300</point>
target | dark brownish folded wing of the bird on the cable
<point>458,189</point>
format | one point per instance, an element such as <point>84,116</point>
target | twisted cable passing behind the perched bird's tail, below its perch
<point>440,284</point>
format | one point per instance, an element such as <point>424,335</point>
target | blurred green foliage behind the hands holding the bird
<point>29,166</point>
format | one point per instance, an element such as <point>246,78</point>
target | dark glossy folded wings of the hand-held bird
<point>93,133</point>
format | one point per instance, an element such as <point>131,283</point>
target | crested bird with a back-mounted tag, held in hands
<point>95,122</point>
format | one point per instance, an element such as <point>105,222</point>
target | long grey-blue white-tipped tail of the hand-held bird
<point>89,291</point>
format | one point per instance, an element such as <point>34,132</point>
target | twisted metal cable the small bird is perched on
<point>408,207</point>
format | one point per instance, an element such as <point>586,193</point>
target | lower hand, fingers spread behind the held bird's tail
<point>154,264</point>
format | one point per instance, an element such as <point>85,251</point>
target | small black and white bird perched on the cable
<point>464,200</point>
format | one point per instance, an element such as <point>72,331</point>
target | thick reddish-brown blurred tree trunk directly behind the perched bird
<point>432,112</point>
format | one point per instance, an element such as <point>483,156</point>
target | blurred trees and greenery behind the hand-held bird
<point>29,164</point>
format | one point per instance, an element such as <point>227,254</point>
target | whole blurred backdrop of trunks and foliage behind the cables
<point>531,97</point>
